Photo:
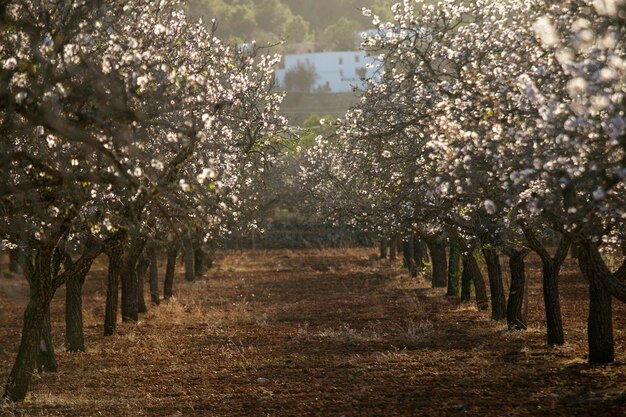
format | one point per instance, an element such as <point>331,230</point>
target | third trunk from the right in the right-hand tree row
<point>516,318</point>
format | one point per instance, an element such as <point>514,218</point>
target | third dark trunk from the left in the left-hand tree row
<point>74,334</point>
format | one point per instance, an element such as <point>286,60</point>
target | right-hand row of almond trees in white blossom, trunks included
<point>494,126</point>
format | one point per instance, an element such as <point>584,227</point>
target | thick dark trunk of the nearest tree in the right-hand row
<point>600,321</point>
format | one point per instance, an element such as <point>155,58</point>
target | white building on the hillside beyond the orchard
<point>337,72</point>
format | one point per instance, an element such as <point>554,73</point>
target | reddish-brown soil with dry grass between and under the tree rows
<point>333,333</point>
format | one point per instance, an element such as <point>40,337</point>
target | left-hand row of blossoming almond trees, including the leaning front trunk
<point>124,128</point>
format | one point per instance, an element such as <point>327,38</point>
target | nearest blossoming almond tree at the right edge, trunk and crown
<point>574,178</point>
